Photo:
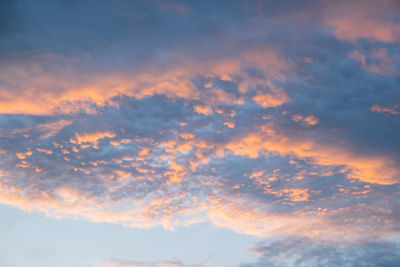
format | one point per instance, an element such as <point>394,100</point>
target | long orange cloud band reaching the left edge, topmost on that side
<point>32,89</point>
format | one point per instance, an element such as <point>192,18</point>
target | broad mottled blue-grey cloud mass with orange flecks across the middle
<point>171,166</point>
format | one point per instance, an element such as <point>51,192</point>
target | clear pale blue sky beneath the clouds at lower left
<point>32,239</point>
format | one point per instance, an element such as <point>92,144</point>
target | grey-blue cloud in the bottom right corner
<point>297,252</point>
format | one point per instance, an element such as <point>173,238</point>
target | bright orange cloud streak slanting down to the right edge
<point>372,169</point>
